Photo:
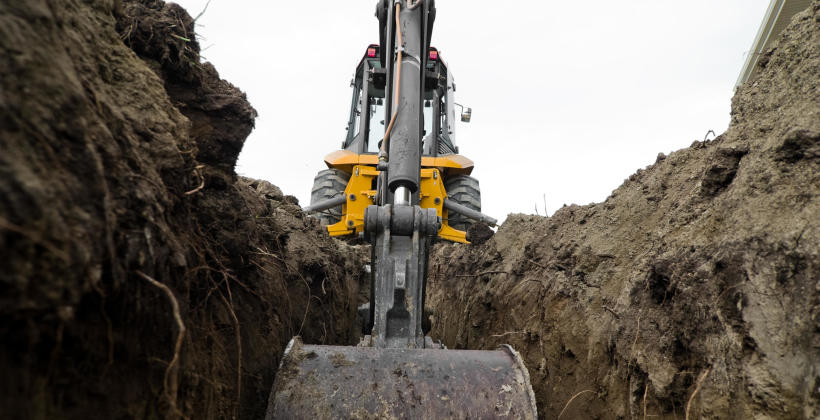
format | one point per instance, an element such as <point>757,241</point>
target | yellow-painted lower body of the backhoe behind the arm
<point>361,194</point>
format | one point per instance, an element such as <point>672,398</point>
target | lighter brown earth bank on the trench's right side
<point>693,289</point>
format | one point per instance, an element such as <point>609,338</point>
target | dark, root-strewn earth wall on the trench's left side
<point>140,277</point>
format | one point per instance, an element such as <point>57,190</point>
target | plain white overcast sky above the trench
<point>569,97</point>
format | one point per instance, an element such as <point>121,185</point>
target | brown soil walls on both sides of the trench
<point>142,278</point>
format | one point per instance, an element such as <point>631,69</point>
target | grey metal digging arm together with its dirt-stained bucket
<point>396,371</point>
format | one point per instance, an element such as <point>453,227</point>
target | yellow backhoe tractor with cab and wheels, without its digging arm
<point>341,193</point>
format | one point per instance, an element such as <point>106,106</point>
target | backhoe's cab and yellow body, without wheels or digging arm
<point>359,158</point>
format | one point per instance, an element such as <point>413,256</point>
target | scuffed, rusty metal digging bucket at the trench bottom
<point>333,382</point>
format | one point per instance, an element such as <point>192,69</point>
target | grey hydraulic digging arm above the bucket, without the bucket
<point>400,230</point>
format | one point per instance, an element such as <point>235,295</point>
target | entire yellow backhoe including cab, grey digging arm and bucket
<point>395,173</point>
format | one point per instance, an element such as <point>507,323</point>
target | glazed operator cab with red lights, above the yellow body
<point>368,111</point>
